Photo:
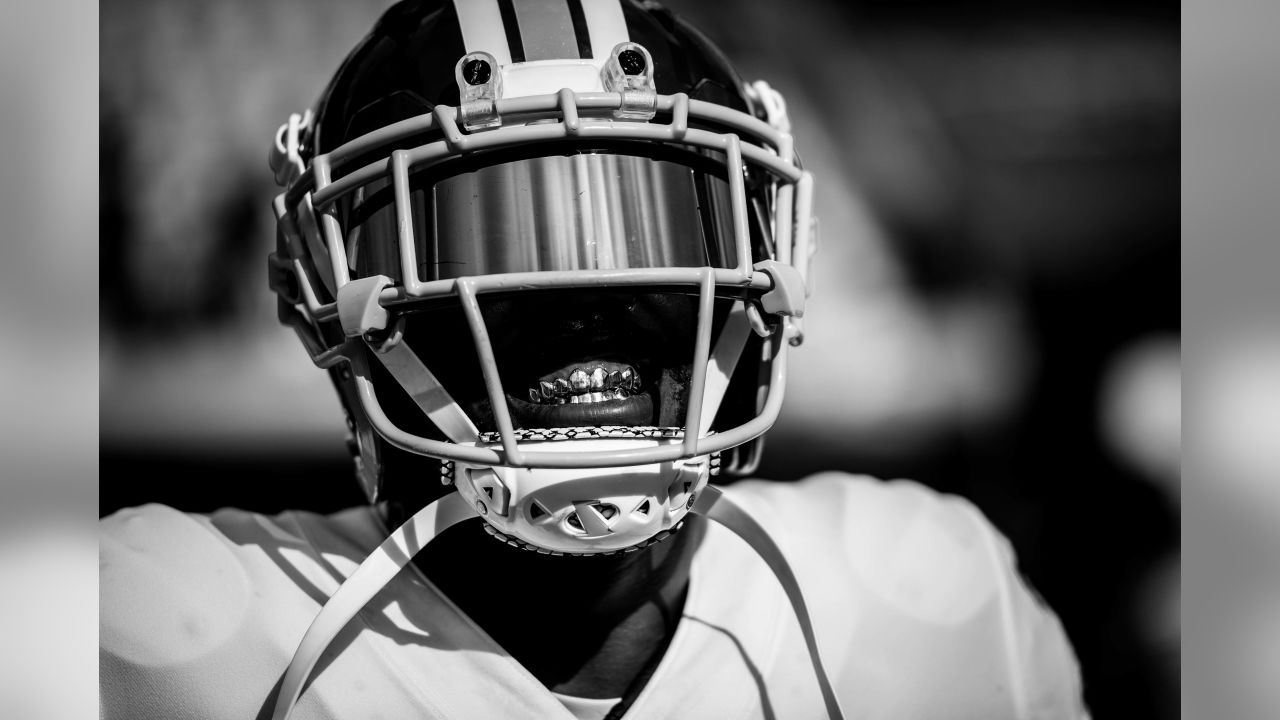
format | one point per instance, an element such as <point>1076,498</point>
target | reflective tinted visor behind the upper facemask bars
<point>579,212</point>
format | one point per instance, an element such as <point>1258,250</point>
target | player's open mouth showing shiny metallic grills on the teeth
<point>596,393</point>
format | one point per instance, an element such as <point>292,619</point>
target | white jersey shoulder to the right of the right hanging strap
<point>912,580</point>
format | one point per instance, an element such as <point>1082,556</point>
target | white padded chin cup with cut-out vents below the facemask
<point>584,511</point>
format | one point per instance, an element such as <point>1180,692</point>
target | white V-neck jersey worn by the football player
<point>917,605</point>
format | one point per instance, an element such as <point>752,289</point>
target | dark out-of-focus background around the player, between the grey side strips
<point>998,308</point>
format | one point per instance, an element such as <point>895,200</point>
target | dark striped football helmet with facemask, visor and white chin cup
<point>560,249</point>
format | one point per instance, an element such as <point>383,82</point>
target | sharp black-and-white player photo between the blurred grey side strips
<point>633,361</point>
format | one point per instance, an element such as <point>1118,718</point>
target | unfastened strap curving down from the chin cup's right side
<point>715,505</point>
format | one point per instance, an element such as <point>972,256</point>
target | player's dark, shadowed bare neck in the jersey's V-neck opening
<point>587,627</point>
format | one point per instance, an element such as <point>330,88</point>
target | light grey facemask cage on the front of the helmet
<point>780,285</point>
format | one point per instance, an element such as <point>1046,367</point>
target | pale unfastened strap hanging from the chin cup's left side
<point>368,581</point>
